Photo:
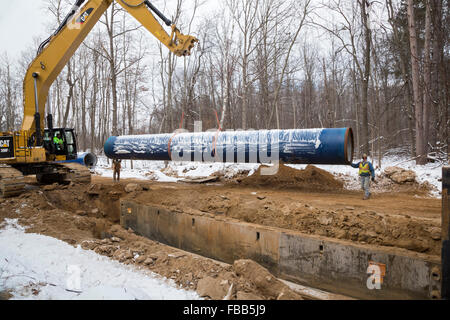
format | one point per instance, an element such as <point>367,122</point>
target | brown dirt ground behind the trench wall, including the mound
<point>314,202</point>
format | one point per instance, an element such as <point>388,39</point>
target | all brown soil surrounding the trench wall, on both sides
<point>311,201</point>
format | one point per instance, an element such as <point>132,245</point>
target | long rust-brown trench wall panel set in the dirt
<point>333,265</point>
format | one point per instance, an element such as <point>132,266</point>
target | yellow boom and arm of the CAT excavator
<point>55,52</point>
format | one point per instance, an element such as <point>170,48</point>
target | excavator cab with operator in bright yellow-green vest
<point>61,142</point>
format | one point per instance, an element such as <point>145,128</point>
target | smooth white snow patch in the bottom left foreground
<point>37,267</point>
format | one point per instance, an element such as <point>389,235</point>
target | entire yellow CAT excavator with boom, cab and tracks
<point>50,153</point>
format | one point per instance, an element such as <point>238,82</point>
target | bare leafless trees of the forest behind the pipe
<point>380,67</point>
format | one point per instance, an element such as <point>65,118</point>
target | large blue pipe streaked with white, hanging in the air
<point>303,146</point>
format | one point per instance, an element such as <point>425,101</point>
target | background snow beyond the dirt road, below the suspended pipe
<point>147,170</point>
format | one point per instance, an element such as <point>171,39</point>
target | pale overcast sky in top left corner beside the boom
<point>20,21</point>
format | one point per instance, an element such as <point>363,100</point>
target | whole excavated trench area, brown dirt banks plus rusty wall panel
<point>308,237</point>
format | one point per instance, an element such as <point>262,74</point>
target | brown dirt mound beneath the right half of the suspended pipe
<point>311,178</point>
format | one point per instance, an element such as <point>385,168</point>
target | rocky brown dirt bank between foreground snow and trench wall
<point>88,215</point>
